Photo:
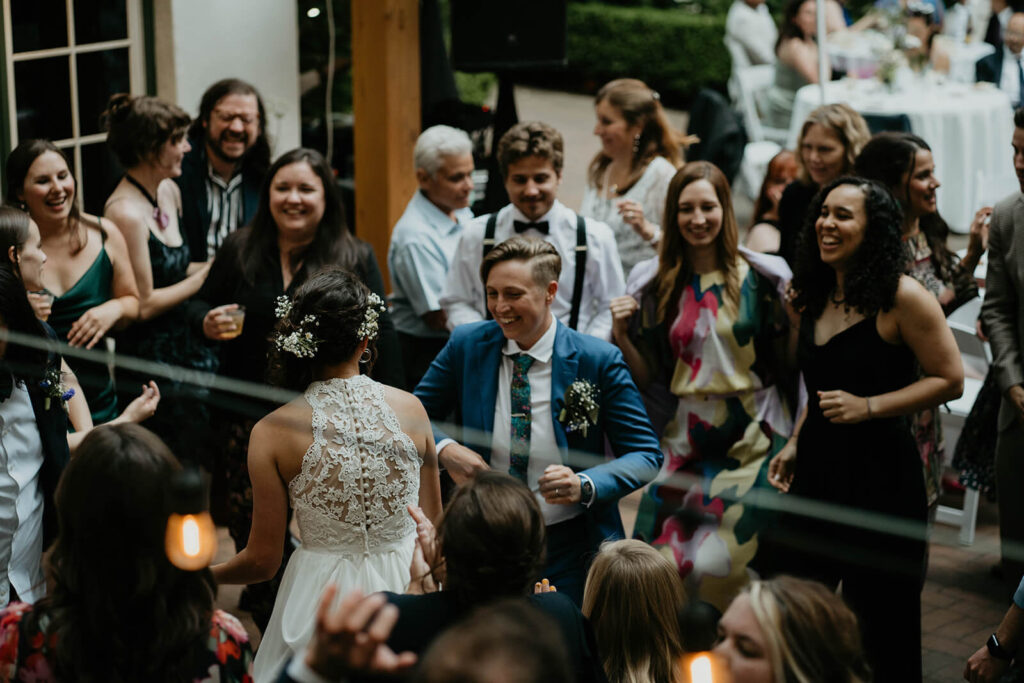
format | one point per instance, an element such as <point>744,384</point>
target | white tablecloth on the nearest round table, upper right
<point>969,129</point>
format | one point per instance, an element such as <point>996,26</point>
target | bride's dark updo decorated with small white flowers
<point>321,327</point>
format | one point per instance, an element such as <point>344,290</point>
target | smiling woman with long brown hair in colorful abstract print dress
<point>705,336</point>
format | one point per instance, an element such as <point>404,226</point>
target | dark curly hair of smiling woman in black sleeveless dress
<point>872,280</point>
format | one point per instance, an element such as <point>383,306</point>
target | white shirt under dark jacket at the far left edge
<point>21,500</point>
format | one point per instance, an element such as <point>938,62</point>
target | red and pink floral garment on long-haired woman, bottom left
<point>25,650</point>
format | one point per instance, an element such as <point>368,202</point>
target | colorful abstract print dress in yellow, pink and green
<point>730,419</point>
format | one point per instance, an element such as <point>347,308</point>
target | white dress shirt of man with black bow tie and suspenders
<point>463,297</point>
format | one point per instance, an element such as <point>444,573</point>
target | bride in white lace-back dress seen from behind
<point>350,453</point>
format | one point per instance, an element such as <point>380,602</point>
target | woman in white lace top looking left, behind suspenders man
<point>628,179</point>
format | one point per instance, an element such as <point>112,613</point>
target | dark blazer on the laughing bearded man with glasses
<point>195,212</point>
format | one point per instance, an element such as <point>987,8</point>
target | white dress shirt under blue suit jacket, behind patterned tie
<point>543,447</point>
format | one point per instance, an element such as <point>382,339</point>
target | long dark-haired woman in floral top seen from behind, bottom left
<point>113,582</point>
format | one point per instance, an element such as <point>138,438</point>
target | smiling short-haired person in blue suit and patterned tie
<point>534,399</point>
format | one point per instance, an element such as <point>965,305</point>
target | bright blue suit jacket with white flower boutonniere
<point>464,378</point>
